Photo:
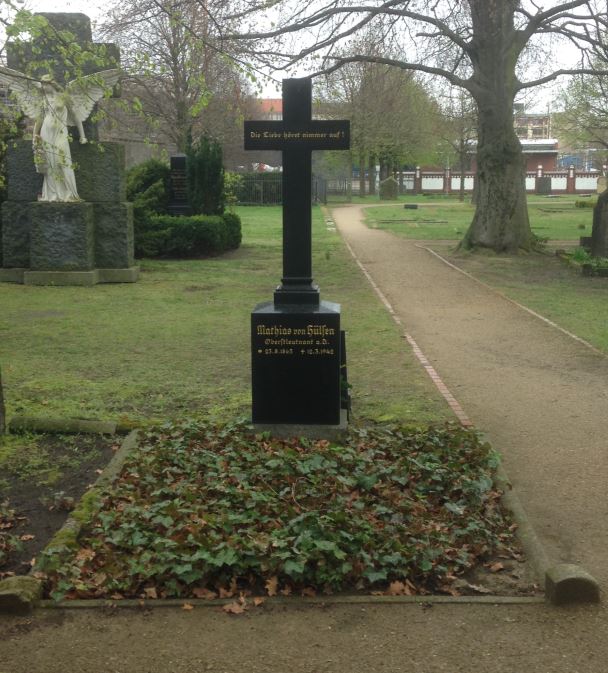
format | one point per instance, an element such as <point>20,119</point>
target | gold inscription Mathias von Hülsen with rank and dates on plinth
<point>311,340</point>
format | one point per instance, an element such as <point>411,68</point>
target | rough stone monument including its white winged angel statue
<point>66,220</point>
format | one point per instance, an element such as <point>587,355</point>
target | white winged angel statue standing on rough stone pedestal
<point>54,108</point>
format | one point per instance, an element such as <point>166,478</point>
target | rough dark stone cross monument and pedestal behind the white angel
<point>67,243</point>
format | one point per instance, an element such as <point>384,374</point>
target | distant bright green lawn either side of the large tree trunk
<point>555,218</point>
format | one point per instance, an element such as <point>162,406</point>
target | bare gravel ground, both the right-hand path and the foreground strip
<point>540,396</point>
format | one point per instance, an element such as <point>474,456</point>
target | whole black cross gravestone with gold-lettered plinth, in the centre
<point>296,345</point>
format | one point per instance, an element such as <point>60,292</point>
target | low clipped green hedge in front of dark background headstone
<point>193,236</point>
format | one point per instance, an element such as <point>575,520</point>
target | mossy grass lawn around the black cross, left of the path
<point>177,342</point>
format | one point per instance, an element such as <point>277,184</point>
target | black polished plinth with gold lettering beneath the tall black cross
<point>295,353</point>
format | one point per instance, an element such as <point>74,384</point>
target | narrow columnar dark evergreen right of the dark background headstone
<point>205,177</point>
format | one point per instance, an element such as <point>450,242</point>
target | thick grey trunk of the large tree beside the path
<point>501,217</point>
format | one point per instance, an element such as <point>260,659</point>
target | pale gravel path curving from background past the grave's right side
<point>541,397</point>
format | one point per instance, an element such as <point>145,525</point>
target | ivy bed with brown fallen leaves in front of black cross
<point>202,511</point>
